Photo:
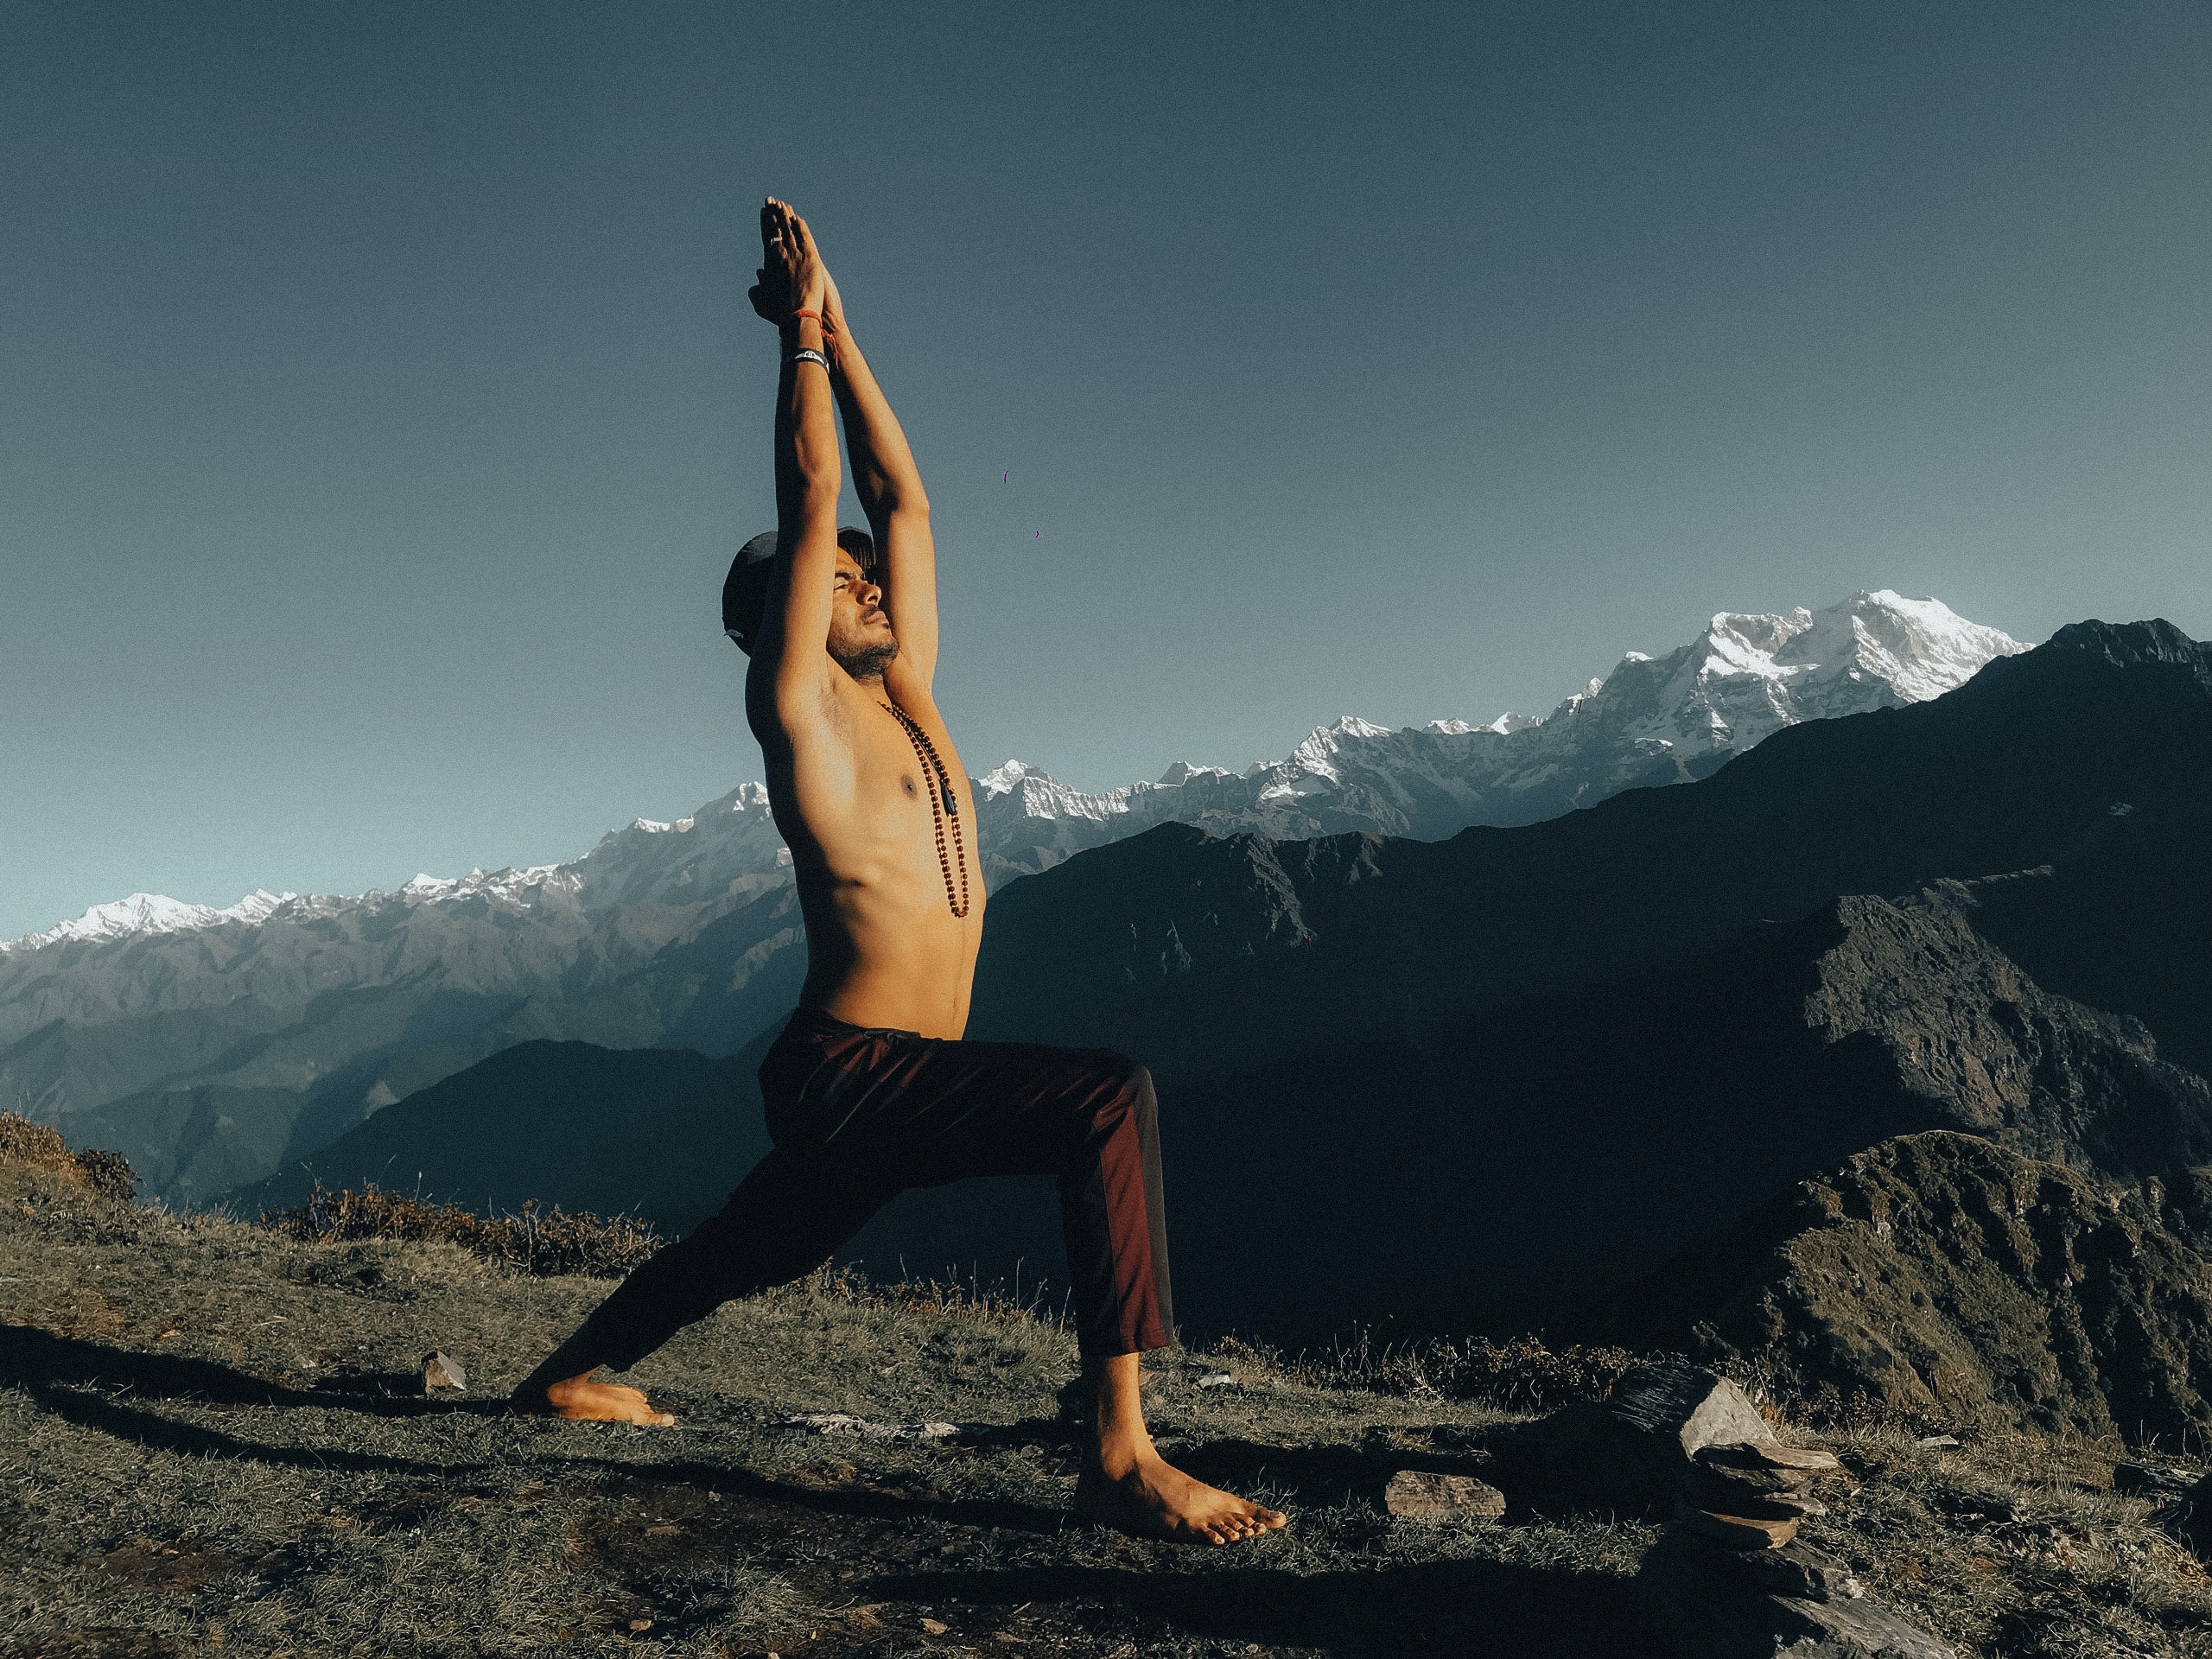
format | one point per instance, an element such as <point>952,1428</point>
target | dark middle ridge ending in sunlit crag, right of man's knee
<point>1499,1171</point>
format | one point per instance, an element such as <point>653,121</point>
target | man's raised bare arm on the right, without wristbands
<point>890,490</point>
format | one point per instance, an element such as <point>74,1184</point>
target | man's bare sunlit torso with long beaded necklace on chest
<point>855,804</point>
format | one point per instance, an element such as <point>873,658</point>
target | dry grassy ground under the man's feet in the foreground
<point>207,1446</point>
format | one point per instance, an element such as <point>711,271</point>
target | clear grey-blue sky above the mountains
<point>382,406</point>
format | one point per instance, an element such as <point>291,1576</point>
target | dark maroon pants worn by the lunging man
<point>864,1114</point>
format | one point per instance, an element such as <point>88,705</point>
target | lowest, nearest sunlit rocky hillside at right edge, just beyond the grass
<point>1950,1280</point>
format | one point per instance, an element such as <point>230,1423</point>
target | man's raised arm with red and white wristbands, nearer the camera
<point>795,629</point>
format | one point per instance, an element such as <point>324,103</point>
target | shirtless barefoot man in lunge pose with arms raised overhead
<point>870,1089</point>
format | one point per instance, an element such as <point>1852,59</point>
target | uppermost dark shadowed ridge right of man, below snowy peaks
<point>1180,948</point>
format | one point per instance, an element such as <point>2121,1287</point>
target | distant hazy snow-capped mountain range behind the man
<point>218,1045</point>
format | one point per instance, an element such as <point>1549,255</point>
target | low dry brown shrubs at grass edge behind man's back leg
<point>534,1242</point>
